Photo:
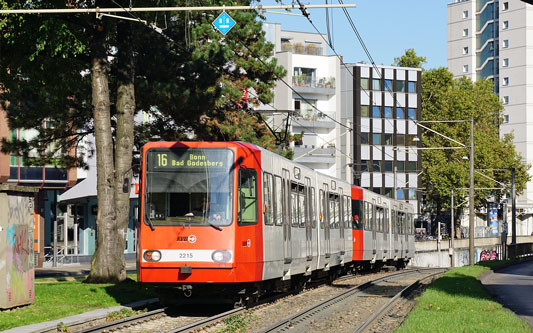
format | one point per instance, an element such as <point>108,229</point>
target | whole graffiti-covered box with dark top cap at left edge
<point>17,268</point>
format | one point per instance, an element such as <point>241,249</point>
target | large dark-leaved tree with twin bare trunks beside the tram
<point>82,75</point>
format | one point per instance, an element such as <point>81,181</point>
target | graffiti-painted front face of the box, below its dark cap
<point>20,265</point>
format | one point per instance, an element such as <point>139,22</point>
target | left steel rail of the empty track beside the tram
<point>285,324</point>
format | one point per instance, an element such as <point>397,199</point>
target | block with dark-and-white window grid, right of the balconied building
<point>381,104</point>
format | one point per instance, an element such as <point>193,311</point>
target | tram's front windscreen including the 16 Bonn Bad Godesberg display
<point>189,186</point>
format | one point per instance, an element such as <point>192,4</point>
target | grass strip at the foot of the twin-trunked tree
<point>59,299</point>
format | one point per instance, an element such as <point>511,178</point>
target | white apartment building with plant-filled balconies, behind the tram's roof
<point>310,95</point>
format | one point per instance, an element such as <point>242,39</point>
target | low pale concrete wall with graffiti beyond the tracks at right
<point>427,254</point>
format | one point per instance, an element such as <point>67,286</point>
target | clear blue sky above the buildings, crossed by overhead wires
<point>388,28</point>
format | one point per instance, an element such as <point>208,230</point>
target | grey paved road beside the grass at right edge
<point>513,287</point>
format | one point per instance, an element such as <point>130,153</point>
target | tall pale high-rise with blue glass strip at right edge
<point>489,39</point>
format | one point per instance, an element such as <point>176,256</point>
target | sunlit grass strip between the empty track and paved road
<point>457,302</point>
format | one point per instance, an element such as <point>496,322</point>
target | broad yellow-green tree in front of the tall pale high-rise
<point>445,98</point>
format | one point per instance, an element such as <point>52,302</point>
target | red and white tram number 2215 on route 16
<point>230,220</point>
